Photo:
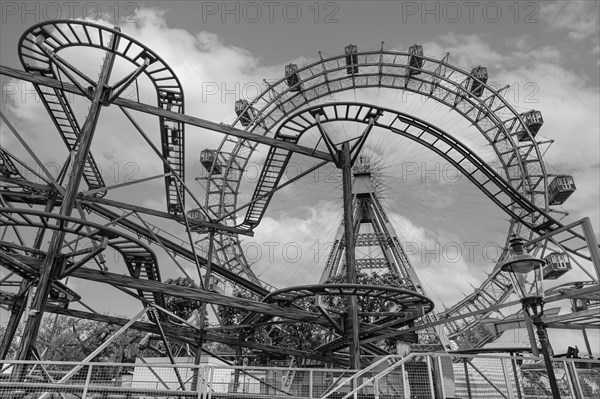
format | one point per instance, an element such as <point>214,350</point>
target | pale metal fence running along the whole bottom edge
<point>422,376</point>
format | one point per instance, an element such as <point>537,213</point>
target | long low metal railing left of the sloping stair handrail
<point>40,380</point>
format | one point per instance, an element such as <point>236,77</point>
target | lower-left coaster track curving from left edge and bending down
<point>138,256</point>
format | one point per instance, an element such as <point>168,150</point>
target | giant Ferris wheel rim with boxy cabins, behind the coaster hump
<point>522,187</point>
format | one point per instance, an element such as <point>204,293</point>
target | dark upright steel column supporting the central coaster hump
<point>353,325</point>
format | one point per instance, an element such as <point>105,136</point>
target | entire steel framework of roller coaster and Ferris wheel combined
<point>277,118</point>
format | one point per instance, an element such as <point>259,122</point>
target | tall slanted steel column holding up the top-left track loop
<point>52,260</point>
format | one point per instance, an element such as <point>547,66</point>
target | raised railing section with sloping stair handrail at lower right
<point>441,375</point>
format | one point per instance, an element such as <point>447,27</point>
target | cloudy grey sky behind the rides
<point>548,52</point>
